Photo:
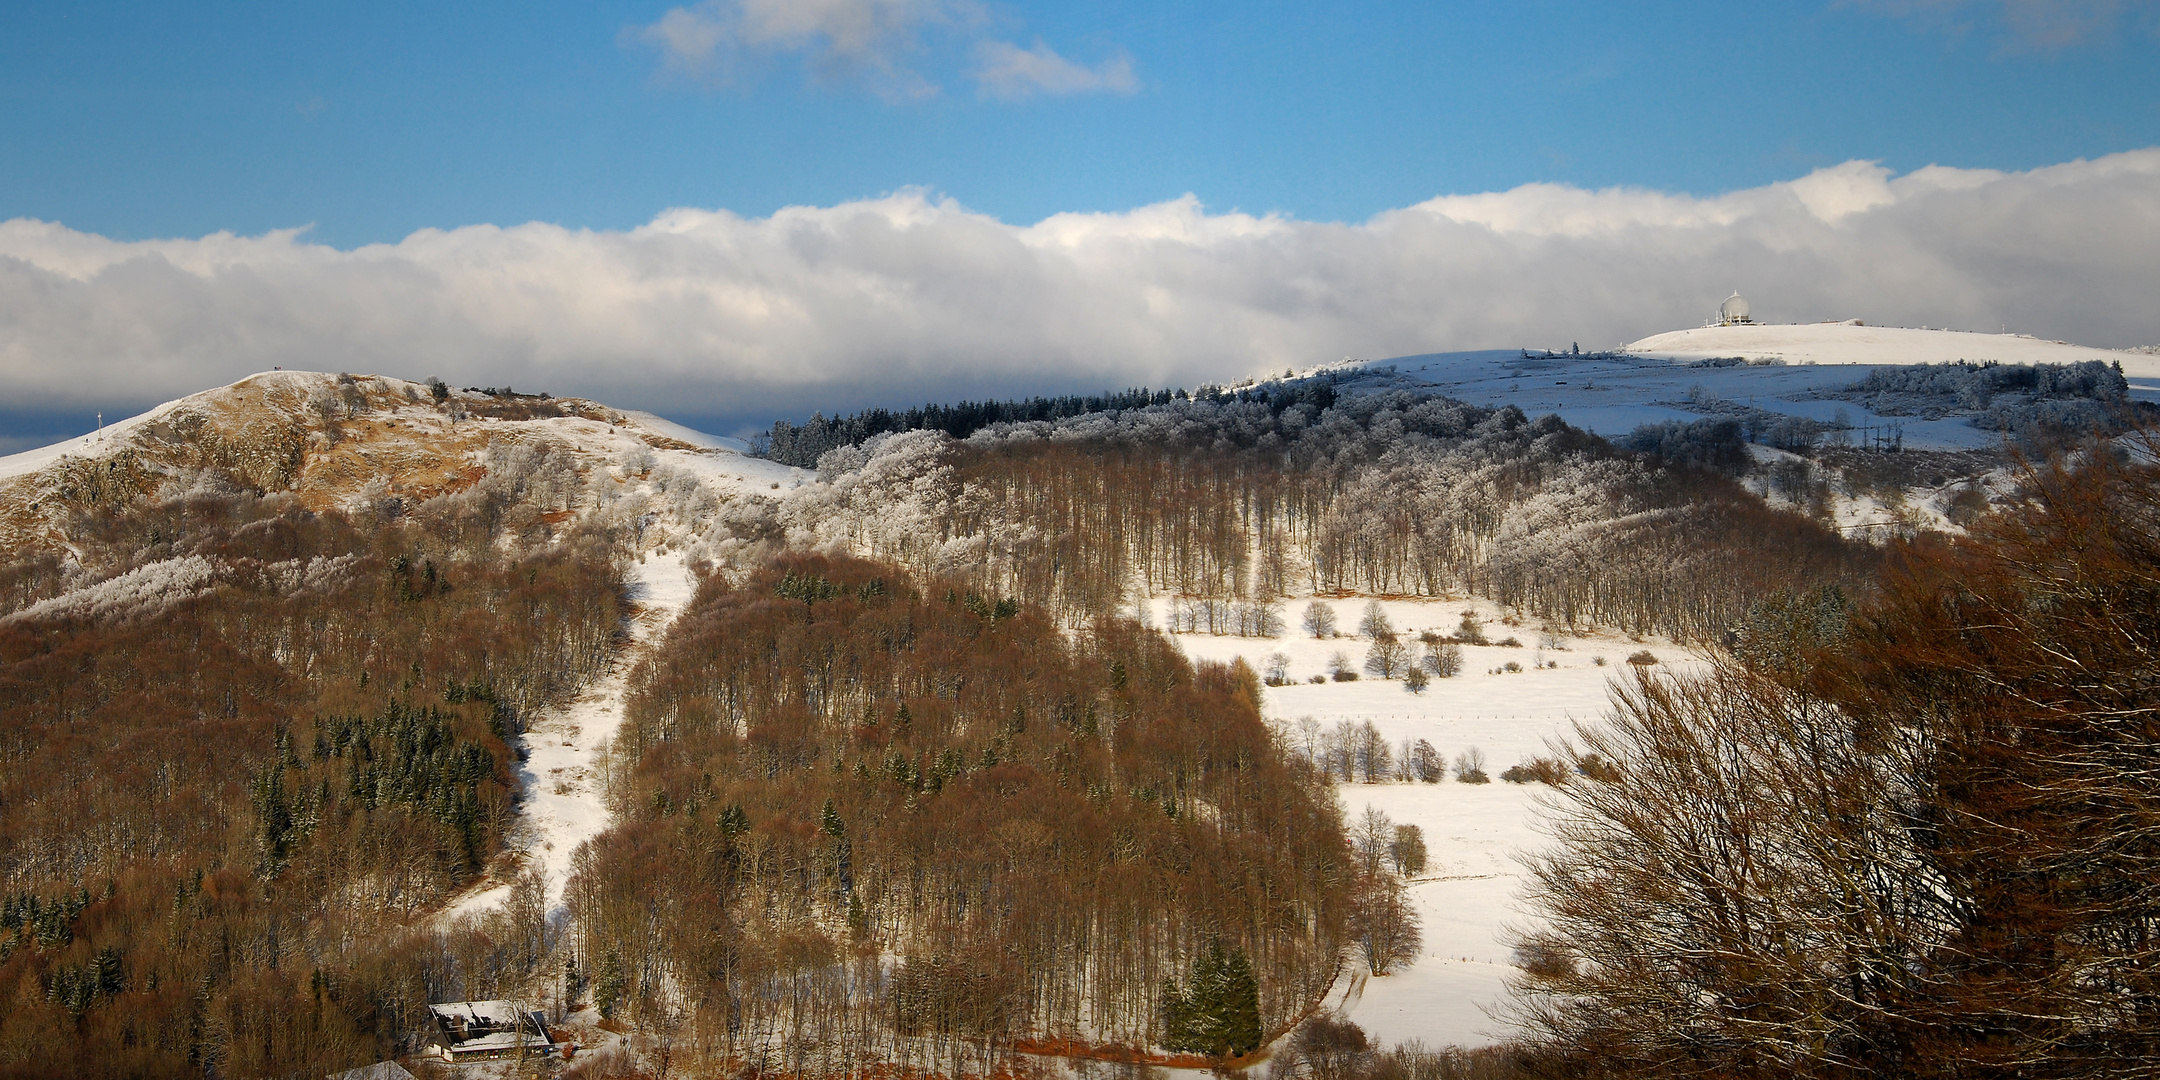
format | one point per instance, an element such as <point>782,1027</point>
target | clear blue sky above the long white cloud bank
<point>370,122</point>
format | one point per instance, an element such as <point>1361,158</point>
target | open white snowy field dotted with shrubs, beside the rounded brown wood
<point>1474,833</point>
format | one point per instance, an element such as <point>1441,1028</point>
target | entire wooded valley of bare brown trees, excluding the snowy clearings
<point>913,785</point>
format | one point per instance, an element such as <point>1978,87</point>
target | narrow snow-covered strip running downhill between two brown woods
<point>563,787</point>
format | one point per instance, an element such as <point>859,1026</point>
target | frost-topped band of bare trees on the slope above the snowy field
<point>1383,494</point>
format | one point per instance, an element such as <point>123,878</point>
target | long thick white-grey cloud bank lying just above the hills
<point>915,297</point>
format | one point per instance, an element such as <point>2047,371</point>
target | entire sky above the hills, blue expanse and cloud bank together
<point>729,211</point>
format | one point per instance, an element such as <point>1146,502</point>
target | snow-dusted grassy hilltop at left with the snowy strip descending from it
<point>349,442</point>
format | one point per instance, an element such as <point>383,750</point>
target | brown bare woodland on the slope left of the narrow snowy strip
<point>239,768</point>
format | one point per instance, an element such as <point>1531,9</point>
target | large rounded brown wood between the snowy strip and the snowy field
<point>876,822</point>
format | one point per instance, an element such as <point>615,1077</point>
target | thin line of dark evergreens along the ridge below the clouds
<point>805,444</point>
